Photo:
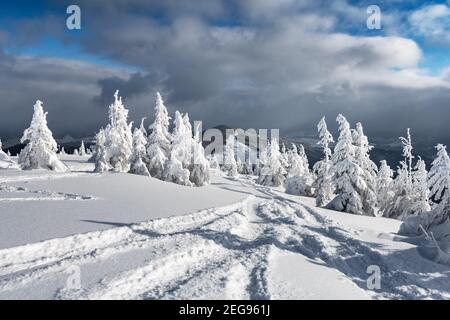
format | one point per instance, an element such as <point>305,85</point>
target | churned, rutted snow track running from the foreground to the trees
<point>216,253</point>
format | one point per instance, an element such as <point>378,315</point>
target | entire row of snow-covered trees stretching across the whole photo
<point>345,179</point>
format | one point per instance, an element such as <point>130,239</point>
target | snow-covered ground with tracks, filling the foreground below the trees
<point>133,237</point>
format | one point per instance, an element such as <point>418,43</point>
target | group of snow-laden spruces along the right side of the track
<point>346,179</point>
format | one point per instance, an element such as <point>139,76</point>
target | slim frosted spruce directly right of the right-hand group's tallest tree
<point>369,168</point>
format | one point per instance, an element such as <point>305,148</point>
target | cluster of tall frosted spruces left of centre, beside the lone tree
<point>176,156</point>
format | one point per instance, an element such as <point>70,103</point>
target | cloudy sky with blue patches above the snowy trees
<point>251,64</point>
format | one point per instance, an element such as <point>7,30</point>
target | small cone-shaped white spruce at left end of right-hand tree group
<point>272,172</point>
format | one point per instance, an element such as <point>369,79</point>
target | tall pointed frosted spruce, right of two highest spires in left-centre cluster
<point>158,146</point>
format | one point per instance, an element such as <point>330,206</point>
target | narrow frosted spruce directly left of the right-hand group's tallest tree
<point>322,169</point>
